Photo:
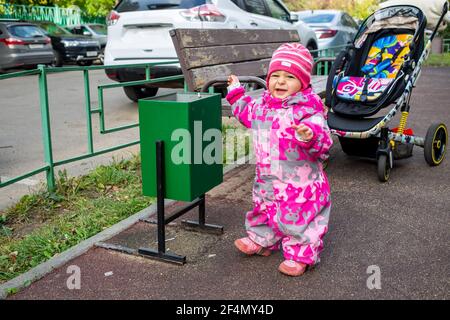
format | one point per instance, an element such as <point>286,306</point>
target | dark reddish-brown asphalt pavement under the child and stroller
<point>397,230</point>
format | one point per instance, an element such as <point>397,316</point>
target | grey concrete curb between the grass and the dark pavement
<point>61,259</point>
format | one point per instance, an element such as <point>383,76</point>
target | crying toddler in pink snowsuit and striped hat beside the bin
<point>291,139</point>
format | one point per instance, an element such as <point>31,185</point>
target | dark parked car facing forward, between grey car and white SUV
<point>69,47</point>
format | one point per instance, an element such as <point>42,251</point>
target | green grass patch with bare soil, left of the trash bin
<point>42,225</point>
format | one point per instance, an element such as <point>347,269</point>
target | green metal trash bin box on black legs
<point>190,125</point>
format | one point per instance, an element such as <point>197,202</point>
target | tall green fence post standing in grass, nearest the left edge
<point>46,132</point>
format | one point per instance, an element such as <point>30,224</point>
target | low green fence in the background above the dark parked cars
<point>60,16</point>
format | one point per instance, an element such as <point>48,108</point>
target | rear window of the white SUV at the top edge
<point>142,5</point>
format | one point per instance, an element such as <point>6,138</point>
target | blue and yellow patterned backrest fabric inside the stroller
<point>379,63</point>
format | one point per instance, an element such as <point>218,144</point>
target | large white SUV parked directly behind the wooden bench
<point>138,32</point>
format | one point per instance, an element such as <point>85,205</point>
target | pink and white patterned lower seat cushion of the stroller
<point>351,88</point>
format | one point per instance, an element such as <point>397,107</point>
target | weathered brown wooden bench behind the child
<point>212,55</point>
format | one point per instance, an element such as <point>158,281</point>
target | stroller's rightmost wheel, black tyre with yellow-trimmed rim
<point>435,144</point>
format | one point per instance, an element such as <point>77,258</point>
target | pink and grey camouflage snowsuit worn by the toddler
<point>291,194</point>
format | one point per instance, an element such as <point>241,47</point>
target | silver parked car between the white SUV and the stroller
<point>333,28</point>
